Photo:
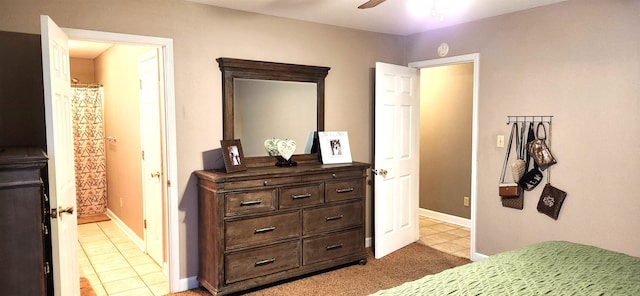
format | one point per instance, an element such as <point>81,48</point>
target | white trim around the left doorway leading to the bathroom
<point>166,44</point>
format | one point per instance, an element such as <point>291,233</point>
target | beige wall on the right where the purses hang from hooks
<point>578,61</point>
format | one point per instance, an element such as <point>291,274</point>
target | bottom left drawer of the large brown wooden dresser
<point>262,261</point>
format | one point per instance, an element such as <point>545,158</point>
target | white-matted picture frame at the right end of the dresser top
<point>334,147</point>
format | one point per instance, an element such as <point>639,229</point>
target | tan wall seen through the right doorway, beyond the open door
<point>446,102</point>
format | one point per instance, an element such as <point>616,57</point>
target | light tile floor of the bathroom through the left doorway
<point>114,265</point>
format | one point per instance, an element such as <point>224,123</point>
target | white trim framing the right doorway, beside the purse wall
<point>475,59</point>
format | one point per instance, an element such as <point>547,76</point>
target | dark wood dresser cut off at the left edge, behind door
<point>24,269</point>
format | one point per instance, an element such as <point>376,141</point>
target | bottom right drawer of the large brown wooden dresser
<point>332,246</point>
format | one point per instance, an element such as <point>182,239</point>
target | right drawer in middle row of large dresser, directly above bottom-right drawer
<point>331,218</point>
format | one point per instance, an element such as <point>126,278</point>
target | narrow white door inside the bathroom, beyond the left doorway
<point>152,176</point>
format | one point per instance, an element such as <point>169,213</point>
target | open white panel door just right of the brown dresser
<point>397,119</point>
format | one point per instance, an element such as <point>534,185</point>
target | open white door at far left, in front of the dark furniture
<point>62,187</point>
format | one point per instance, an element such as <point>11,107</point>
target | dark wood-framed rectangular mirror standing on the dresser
<point>263,100</point>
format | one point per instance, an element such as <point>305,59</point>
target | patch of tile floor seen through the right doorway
<point>445,237</point>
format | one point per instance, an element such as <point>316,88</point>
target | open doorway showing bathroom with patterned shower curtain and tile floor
<point>126,145</point>
